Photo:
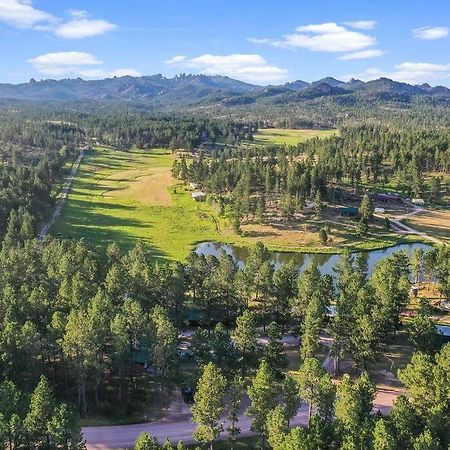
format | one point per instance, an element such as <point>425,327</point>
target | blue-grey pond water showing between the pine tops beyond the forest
<point>325,262</point>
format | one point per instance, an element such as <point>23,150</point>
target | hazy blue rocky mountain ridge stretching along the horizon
<point>183,90</point>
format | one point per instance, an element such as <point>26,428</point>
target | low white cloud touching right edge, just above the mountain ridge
<point>408,72</point>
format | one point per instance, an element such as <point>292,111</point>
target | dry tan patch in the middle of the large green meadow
<point>149,186</point>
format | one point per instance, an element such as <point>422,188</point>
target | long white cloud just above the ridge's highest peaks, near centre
<point>245,67</point>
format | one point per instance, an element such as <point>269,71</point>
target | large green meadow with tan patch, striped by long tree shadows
<point>130,196</point>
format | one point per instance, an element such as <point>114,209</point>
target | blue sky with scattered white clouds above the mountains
<point>257,41</point>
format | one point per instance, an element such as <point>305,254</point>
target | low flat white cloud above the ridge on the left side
<point>75,64</point>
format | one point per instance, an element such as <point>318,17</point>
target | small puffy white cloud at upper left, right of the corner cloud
<point>81,26</point>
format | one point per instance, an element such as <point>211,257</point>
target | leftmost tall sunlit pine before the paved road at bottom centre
<point>209,404</point>
